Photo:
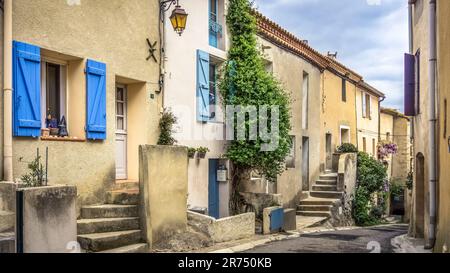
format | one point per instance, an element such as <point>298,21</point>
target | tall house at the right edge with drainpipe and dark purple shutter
<point>426,95</point>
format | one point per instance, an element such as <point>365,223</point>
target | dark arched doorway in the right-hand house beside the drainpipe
<point>420,196</point>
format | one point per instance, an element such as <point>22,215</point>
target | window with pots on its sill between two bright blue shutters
<point>53,93</point>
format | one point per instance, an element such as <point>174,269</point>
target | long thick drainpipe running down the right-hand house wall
<point>433,121</point>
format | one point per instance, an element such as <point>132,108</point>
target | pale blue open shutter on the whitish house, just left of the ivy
<point>203,86</point>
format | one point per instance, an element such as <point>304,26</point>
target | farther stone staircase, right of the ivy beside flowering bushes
<point>321,199</point>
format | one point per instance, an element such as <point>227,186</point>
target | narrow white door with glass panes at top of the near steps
<point>121,133</point>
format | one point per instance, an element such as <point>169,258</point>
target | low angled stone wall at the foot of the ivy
<point>225,229</point>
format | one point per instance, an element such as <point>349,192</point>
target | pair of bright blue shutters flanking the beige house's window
<point>27,93</point>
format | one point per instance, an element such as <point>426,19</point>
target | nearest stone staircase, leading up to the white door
<point>113,227</point>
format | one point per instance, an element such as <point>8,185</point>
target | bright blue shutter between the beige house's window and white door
<point>96,100</point>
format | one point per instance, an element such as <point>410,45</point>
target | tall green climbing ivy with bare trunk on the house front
<point>245,82</point>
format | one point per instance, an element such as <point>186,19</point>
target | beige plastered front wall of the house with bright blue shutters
<point>117,37</point>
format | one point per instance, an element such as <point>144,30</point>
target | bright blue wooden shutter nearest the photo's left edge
<point>26,90</point>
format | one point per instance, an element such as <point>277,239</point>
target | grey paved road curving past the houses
<point>376,239</point>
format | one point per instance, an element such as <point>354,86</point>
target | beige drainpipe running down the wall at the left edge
<point>7,91</point>
